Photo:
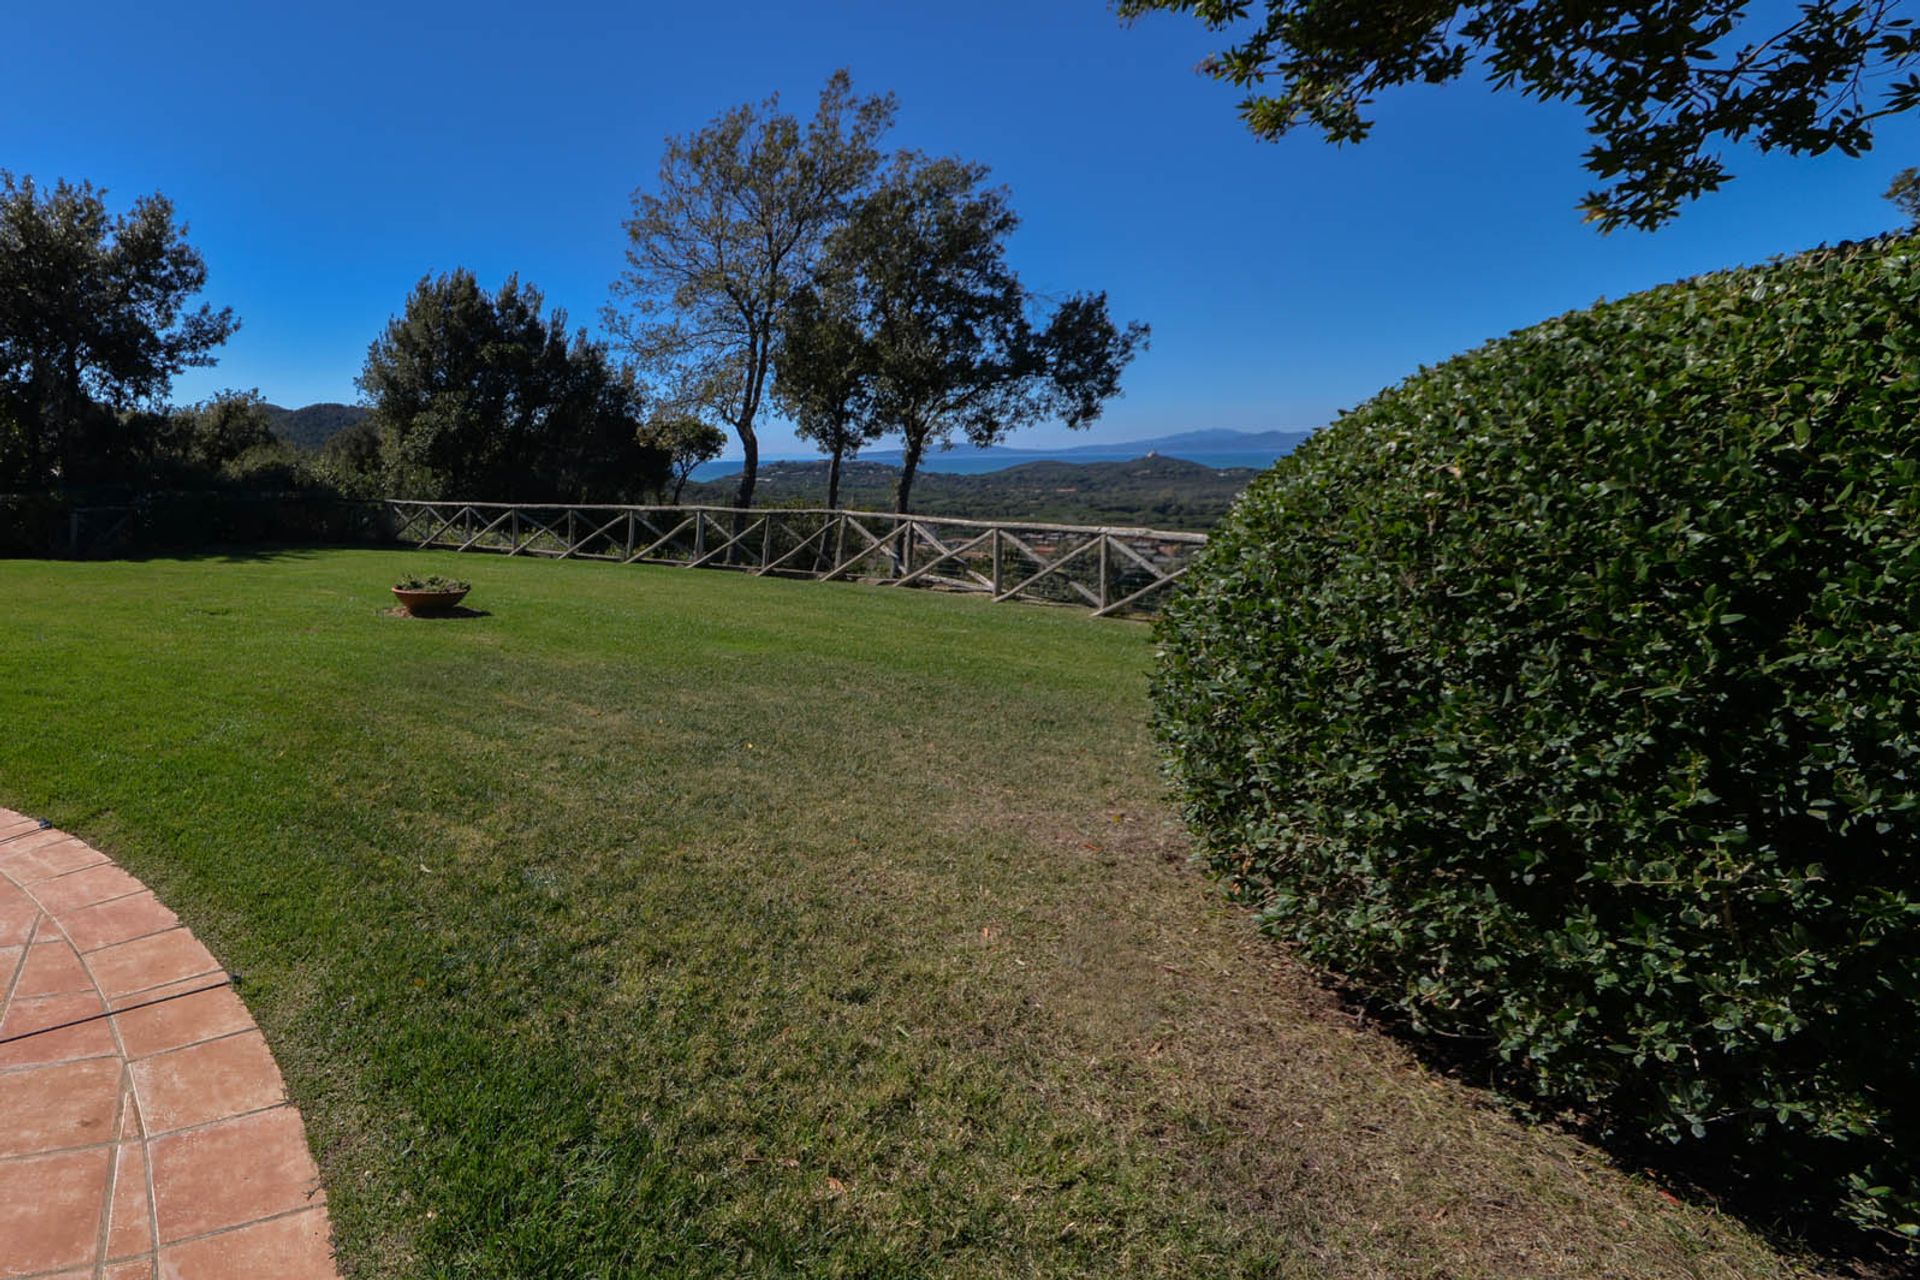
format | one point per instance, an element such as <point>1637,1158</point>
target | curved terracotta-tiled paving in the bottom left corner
<point>145,1133</point>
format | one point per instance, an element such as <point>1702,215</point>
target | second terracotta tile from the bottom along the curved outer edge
<point>233,1173</point>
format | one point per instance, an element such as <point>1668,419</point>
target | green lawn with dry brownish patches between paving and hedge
<point>684,924</point>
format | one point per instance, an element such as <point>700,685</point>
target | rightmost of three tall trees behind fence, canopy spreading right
<point>953,335</point>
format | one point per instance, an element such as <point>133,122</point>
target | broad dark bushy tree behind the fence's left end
<point>487,398</point>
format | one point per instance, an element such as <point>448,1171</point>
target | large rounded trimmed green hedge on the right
<point>1568,698</point>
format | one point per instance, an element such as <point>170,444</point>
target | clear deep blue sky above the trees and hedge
<point>329,156</point>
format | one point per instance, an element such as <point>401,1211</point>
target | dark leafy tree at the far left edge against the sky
<point>95,323</point>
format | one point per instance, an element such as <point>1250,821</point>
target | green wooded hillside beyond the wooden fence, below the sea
<point>1157,492</point>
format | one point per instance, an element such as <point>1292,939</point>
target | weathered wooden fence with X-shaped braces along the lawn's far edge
<point>1113,571</point>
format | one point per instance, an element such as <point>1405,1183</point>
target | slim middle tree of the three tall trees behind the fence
<point>823,367</point>
